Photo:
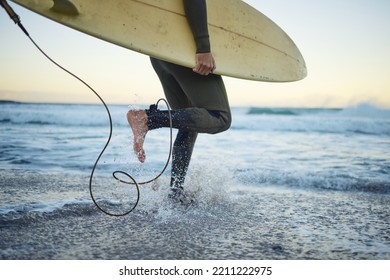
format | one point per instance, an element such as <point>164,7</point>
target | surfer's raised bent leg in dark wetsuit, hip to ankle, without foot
<point>199,103</point>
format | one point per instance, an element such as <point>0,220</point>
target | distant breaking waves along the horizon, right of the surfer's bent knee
<point>363,119</point>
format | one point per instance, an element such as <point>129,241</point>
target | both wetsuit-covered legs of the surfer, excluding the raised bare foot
<point>199,105</point>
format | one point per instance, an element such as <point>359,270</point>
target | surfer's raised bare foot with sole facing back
<point>138,121</point>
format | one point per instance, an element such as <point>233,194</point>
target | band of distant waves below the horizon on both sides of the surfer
<point>363,118</point>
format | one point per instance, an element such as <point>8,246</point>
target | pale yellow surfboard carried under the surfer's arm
<point>245,43</point>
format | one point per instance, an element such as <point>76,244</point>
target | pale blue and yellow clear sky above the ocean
<point>345,44</point>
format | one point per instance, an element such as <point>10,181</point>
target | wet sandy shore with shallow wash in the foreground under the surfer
<point>243,222</point>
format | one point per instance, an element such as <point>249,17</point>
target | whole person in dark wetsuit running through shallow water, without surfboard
<point>197,97</point>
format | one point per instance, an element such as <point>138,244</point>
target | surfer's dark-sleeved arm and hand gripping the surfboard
<point>196,12</point>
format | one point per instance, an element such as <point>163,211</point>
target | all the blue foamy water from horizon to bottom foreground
<point>282,183</point>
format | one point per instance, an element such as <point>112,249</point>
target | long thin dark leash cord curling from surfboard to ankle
<point>115,174</point>
